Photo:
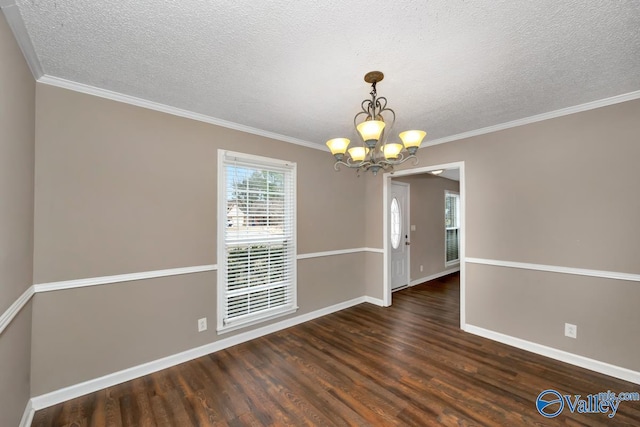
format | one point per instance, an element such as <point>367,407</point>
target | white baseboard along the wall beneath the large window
<point>77,390</point>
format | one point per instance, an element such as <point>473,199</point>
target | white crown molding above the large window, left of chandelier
<point>140,102</point>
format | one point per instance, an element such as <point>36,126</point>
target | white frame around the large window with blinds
<point>225,159</point>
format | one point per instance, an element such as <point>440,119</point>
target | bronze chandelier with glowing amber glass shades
<point>375,153</point>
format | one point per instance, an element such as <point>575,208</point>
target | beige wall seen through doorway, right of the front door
<point>427,214</point>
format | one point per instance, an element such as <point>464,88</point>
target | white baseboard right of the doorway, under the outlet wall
<point>563,356</point>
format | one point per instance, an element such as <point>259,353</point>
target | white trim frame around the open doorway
<point>386,178</point>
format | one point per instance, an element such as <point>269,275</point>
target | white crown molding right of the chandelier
<point>538,118</point>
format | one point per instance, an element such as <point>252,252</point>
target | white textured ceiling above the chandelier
<point>296,68</point>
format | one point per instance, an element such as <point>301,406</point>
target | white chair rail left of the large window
<point>95,281</point>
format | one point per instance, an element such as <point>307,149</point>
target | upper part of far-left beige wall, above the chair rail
<point>17,100</point>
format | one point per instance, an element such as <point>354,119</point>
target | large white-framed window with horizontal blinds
<point>256,239</point>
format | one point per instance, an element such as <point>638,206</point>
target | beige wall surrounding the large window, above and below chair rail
<point>120,189</point>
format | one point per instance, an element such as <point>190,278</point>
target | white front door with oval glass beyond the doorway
<point>399,234</point>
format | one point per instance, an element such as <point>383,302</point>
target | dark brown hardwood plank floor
<point>405,365</point>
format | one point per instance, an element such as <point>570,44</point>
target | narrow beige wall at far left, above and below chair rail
<point>17,99</point>
